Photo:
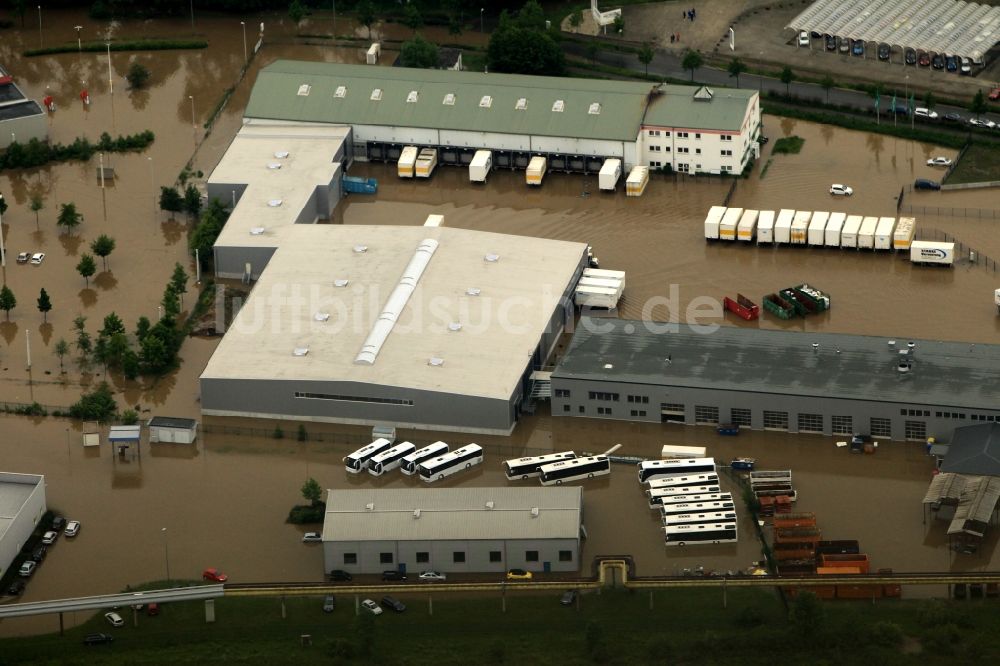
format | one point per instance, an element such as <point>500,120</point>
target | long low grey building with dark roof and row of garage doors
<point>821,383</point>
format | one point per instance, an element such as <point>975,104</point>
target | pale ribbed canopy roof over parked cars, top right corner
<point>949,27</point>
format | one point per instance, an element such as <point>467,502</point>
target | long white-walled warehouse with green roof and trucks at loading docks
<point>576,123</point>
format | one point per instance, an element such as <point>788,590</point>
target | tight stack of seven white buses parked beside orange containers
<point>692,506</point>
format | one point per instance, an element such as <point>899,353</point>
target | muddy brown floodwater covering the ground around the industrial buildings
<point>175,509</point>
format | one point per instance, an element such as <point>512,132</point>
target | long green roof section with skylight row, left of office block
<point>623,104</point>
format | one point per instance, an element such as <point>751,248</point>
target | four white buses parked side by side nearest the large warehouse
<point>431,463</point>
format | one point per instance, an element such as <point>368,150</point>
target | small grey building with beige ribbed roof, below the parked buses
<point>473,530</point>
